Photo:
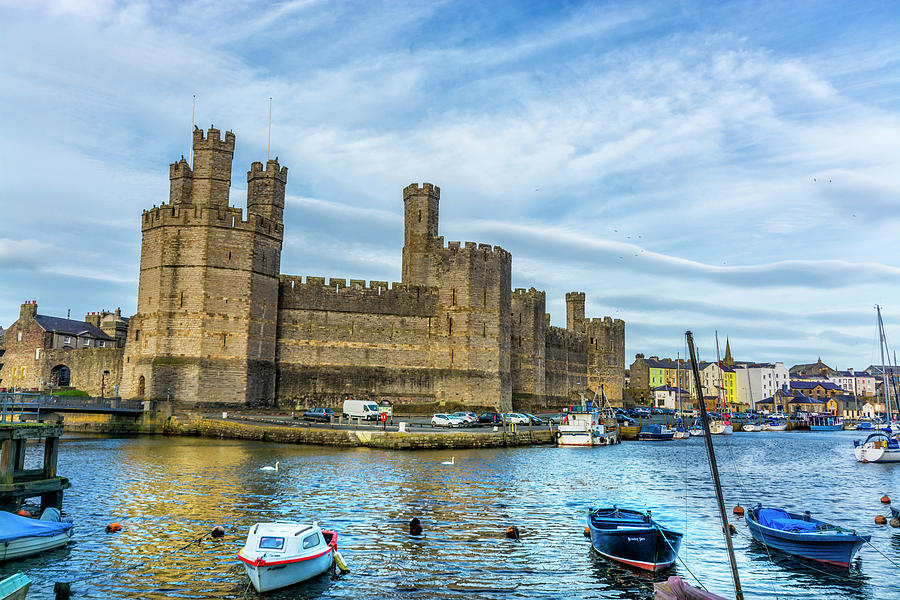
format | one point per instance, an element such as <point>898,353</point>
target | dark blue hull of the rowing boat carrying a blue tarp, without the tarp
<point>831,548</point>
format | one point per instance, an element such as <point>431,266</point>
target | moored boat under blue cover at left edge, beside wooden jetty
<point>23,536</point>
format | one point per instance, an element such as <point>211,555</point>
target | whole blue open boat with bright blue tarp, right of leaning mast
<point>803,536</point>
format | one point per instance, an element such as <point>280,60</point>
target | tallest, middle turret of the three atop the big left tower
<point>212,167</point>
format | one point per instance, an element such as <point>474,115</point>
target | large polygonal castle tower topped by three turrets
<point>208,292</point>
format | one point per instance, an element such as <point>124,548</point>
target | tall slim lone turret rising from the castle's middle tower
<point>420,219</point>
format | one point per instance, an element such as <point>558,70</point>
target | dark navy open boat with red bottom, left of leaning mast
<point>633,538</point>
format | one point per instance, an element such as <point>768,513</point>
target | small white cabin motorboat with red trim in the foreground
<point>280,554</point>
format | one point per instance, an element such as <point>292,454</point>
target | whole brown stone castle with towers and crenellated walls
<point>217,322</point>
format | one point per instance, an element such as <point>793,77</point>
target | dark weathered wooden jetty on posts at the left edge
<point>18,483</point>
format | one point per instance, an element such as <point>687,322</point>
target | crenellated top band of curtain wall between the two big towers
<point>358,297</point>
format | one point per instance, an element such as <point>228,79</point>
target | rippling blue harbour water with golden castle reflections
<point>167,491</point>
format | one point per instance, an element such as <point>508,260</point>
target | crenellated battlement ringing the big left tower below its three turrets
<point>168,215</point>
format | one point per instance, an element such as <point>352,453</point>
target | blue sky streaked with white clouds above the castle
<point>689,165</point>
